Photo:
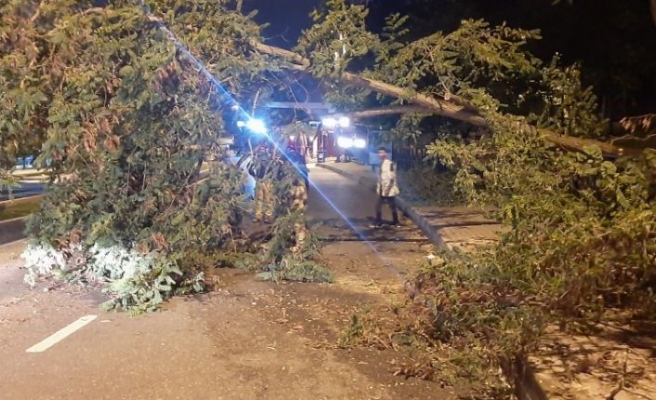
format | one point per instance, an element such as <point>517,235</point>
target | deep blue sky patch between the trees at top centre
<point>287,18</point>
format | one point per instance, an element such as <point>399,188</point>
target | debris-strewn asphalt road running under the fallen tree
<point>236,343</point>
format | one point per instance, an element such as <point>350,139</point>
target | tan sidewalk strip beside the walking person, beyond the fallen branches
<point>450,227</point>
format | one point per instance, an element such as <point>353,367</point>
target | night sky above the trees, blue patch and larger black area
<point>614,44</point>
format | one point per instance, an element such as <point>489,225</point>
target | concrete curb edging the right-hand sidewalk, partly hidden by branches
<point>523,376</point>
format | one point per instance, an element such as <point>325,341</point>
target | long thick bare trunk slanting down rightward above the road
<point>443,107</point>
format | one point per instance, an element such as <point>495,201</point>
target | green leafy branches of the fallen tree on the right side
<point>581,227</point>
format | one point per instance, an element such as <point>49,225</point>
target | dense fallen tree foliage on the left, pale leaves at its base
<point>129,98</point>
